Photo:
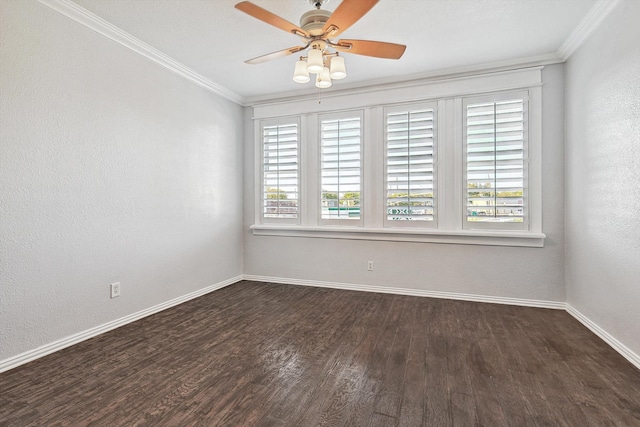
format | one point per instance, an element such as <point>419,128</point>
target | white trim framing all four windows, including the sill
<point>448,92</point>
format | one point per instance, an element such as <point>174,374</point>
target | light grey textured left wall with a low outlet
<point>111,169</point>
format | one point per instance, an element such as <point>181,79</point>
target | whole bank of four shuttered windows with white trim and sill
<point>449,161</point>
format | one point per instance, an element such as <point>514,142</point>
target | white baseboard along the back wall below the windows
<point>412,292</point>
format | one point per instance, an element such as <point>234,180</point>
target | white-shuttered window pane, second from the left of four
<point>340,166</point>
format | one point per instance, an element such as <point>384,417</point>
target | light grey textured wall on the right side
<point>602,175</point>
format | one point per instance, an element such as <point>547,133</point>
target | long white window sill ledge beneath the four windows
<point>462,237</point>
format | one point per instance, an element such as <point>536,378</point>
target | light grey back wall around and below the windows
<point>525,273</point>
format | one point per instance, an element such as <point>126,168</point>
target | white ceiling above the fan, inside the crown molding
<point>214,39</point>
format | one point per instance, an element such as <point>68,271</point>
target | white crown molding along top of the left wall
<point>82,16</point>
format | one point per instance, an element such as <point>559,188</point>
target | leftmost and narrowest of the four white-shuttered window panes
<point>280,177</point>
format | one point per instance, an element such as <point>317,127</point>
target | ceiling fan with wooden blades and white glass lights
<point>318,29</point>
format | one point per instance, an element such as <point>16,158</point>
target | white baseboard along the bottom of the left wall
<point>28,356</point>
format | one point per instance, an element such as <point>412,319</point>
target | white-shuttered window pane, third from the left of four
<point>409,145</point>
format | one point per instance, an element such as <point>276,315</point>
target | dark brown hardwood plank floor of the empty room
<point>260,354</point>
